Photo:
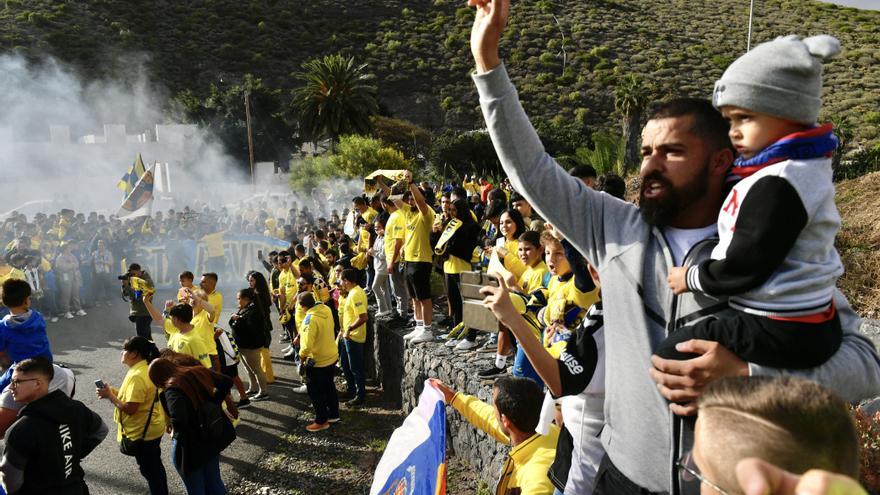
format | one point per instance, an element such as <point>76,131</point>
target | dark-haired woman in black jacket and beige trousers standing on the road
<point>248,326</point>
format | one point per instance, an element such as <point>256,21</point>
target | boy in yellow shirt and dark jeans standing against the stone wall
<point>353,315</point>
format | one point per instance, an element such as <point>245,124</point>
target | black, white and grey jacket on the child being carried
<point>776,253</point>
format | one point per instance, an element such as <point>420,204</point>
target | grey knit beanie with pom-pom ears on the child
<point>782,78</point>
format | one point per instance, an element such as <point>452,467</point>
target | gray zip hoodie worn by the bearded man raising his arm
<point>641,436</point>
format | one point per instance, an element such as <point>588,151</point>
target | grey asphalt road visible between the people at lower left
<point>91,345</point>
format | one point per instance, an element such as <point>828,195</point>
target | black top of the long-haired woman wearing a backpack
<point>191,453</point>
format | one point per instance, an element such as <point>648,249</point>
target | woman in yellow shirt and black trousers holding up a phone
<point>140,419</point>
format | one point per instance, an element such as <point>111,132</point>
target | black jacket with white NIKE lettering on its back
<point>38,445</point>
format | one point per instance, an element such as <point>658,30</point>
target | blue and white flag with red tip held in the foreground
<point>414,460</point>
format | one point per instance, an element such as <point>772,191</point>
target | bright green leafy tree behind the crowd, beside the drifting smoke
<point>356,156</point>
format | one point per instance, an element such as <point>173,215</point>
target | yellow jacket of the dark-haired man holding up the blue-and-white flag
<point>527,464</point>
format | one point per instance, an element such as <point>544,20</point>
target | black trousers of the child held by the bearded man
<point>764,341</point>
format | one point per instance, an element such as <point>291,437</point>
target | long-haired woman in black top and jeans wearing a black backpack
<point>187,390</point>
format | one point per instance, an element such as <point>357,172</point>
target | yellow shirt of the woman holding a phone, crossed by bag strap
<point>137,387</point>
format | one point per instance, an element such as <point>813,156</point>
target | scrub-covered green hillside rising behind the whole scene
<point>419,48</point>
